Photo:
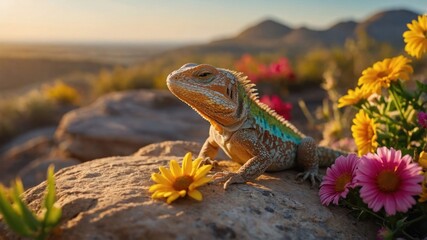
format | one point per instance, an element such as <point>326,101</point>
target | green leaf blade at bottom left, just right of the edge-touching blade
<point>27,215</point>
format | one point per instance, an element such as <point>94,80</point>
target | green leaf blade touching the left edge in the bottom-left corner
<point>13,219</point>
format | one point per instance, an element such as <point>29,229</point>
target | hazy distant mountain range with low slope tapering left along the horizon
<point>272,36</point>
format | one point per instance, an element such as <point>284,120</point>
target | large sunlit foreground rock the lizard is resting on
<point>108,199</point>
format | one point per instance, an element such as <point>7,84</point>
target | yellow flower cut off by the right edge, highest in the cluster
<point>416,37</point>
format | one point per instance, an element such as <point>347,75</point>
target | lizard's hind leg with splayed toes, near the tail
<point>307,158</point>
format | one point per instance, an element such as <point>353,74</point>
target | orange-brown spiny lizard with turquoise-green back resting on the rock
<point>248,131</point>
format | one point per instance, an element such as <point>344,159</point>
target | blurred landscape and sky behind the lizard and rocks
<point>58,55</point>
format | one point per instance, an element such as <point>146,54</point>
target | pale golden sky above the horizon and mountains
<point>173,20</point>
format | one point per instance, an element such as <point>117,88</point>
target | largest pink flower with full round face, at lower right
<point>388,180</point>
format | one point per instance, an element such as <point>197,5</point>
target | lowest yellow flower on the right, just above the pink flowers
<point>364,133</point>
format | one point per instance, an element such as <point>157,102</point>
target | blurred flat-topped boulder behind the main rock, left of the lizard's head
<point>121,123</point>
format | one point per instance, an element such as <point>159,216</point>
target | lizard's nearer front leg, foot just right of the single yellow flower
<point>246,142</point>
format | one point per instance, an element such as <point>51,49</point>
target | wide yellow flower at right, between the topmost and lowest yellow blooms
<point>382,73</point>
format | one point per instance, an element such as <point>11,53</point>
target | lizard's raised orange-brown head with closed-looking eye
<point>212,92</point>
